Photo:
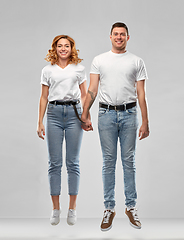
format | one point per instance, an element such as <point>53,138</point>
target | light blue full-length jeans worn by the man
<point>123,125</point>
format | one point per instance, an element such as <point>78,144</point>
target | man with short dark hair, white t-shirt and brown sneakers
<point>122,77</point>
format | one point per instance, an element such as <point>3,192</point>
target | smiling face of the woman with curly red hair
<point>63,49</point>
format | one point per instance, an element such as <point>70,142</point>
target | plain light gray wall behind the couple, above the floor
<point>27,28</point>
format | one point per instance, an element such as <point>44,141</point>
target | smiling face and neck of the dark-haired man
<point>119,39</point>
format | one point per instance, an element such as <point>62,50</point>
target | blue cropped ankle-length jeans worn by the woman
<point>62,122</point>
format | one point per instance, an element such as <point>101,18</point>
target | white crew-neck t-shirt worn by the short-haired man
<point>118,76</point>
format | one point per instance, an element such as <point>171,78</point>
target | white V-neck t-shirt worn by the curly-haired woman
<point>63,83</point>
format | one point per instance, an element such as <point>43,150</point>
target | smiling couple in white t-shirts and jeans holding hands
<point>122,78</point>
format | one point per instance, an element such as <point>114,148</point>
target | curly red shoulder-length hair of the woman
<point>52,54</point>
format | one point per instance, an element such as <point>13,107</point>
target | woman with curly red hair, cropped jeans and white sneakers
<point>63,86</point>
